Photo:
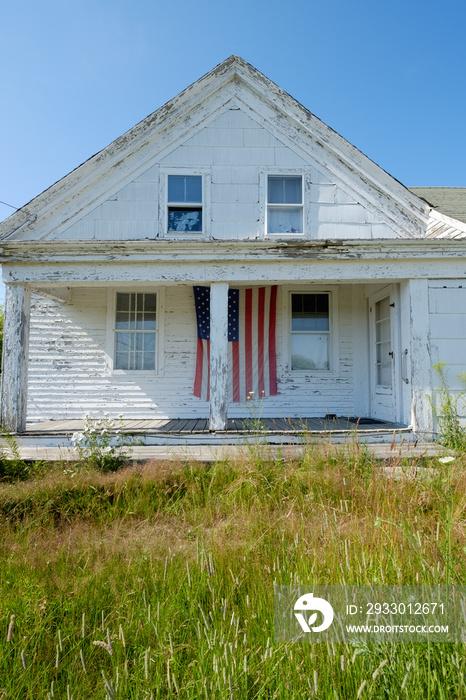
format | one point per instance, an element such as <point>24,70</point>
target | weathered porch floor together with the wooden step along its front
<point>191,439</point>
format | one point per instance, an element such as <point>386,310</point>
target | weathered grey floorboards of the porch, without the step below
<point>235,426</point>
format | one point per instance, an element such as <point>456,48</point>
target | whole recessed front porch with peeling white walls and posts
<point>358,358</point>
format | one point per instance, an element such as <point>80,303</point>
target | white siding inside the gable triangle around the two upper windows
<point>234,149</point>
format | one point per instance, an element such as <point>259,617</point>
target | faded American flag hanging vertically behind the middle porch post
<point>251,335</point>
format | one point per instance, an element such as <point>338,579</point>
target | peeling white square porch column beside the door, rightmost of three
<point>420,362</point>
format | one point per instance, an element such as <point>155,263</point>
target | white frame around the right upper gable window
<point>305,174</point>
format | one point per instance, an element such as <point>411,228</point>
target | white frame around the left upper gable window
<point>205,175</point>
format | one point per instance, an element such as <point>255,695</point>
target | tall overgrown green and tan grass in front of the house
<point>157,581</point>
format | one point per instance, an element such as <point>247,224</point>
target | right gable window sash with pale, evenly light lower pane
<point>285,204</point>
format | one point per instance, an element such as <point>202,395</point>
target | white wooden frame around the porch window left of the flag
<point>111,332</point>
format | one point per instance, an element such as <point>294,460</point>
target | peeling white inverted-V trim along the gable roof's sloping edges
<point>234,78</point>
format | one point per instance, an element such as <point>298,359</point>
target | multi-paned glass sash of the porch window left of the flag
<point>135,331</point>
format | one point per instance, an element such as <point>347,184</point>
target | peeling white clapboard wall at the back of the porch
<point>68,375</point>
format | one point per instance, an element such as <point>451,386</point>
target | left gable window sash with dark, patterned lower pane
<point>184,200</point>
